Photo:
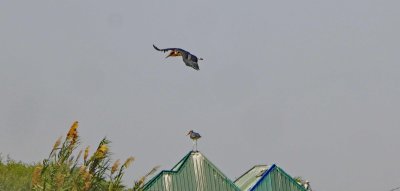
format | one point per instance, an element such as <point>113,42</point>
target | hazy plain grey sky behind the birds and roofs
<point>312,86</point>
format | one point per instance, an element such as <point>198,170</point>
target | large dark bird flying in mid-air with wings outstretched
<point>188,58</point>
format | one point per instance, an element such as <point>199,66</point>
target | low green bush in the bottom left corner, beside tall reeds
<point>15,175</point>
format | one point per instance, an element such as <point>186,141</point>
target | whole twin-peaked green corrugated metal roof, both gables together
<point>195,172</point>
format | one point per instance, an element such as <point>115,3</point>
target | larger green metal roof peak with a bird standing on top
<point>193,173</point>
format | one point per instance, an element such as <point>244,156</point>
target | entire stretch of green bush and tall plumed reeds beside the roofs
<point>66,170</point>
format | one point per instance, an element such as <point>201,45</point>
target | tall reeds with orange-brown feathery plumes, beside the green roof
<point>63,171</point>
